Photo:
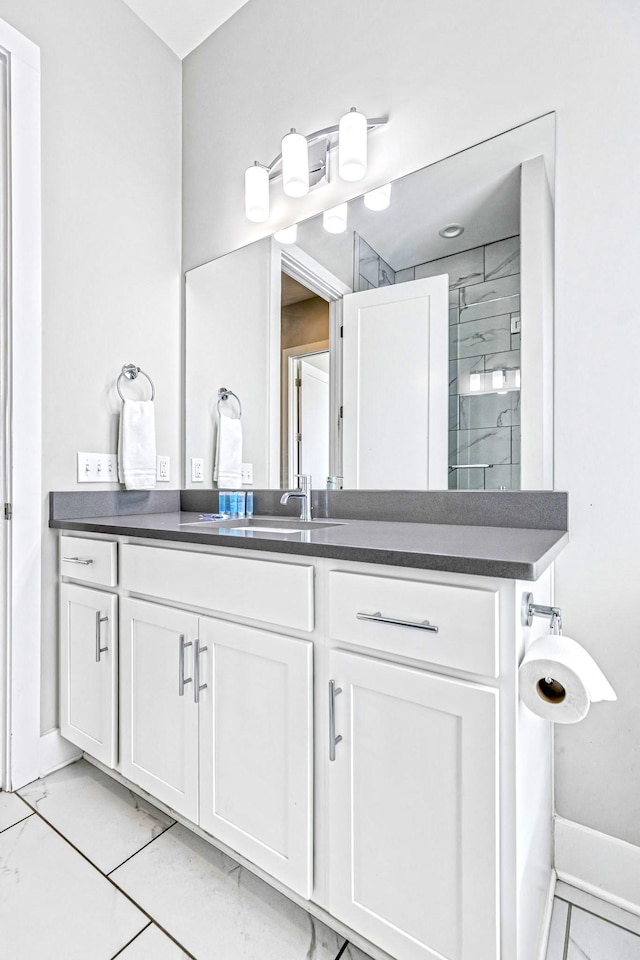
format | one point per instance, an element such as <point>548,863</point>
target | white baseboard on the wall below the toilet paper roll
<point>598,864</point>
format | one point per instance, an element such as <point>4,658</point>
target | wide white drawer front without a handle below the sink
<point>276,593</point>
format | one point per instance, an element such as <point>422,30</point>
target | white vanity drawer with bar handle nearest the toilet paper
<point>466,618</point>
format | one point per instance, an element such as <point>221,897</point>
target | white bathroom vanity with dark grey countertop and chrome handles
<point>336,707</point>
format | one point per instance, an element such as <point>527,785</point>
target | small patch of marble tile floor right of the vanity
<point>585,928</point>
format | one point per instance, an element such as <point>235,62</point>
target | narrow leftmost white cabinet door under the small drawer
<point>89,670</point>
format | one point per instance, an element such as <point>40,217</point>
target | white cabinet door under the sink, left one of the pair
<point>159,715</point>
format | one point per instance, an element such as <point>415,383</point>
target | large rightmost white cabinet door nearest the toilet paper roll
<point>413,810</point>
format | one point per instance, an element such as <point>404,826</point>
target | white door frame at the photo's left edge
<point>21,416</point>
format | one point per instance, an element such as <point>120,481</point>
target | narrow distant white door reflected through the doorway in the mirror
<point>314,418</point>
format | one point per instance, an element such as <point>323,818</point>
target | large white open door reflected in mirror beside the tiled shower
<point>396,386</point>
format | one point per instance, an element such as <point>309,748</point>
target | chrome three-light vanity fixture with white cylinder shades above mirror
<point>303,162</point>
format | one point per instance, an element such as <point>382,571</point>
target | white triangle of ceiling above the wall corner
<point>185,24</point>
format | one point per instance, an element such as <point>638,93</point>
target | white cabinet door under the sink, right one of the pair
<point>256,741</point>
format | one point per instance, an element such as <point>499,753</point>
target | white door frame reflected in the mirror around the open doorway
<point>300,266</point>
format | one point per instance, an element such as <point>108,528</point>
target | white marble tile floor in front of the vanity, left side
<point>89,871</point>
